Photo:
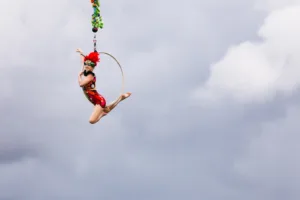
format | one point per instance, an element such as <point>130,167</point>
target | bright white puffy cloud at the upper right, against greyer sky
<point>256,71</point>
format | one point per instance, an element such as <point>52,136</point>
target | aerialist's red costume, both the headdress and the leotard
<point>90,89</point>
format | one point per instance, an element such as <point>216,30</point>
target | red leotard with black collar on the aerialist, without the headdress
<point>91,93</point>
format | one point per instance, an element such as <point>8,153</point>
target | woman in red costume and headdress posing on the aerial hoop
<point>88,85</point>
